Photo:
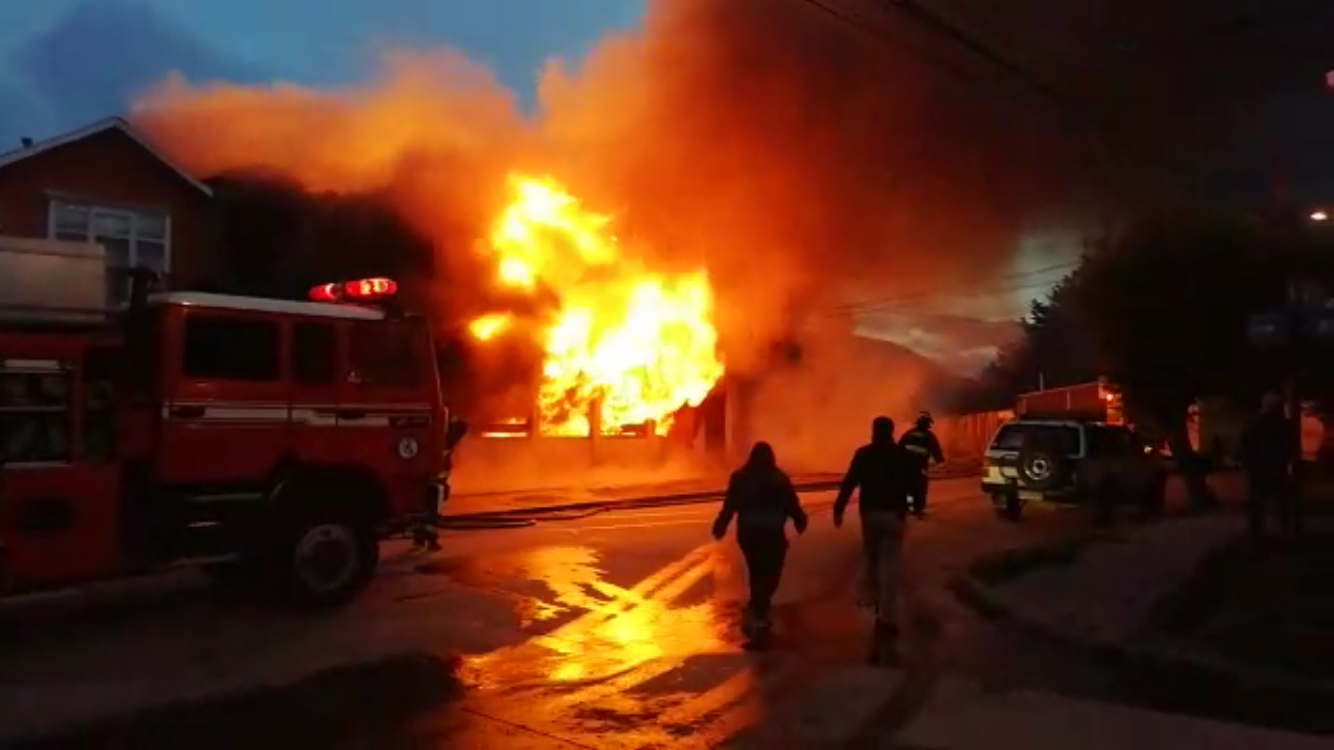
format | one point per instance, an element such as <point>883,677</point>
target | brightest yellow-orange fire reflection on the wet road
<point>650,663</point>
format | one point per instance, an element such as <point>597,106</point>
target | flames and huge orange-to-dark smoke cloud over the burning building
<point>669,210</point>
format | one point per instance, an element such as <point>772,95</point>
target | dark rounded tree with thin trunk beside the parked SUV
<point>1167,308</point>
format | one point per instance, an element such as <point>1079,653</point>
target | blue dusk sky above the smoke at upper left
<point>139,41</point>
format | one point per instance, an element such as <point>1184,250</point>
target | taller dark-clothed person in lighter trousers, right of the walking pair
<point>882,474</point>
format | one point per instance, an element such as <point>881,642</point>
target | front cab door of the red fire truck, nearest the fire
<point>386,406</point>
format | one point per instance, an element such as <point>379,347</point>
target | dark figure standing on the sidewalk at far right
<point>1268,457</point>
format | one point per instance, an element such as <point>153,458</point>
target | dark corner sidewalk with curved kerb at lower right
<point>1132,597</point>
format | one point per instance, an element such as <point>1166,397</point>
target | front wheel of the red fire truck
<point>330,558</point>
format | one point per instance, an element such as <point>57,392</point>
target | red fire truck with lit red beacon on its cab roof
<point>266,441</point>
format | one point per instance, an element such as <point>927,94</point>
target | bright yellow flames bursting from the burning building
<point>641,345</point>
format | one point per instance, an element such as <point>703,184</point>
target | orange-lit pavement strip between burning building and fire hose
<point>488,505</point>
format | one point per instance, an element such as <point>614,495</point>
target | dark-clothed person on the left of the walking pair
<point>762,498</point>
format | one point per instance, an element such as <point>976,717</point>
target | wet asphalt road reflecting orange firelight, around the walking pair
<point>613,631</point>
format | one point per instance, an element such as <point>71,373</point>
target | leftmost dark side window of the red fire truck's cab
<point>221,348</point>
